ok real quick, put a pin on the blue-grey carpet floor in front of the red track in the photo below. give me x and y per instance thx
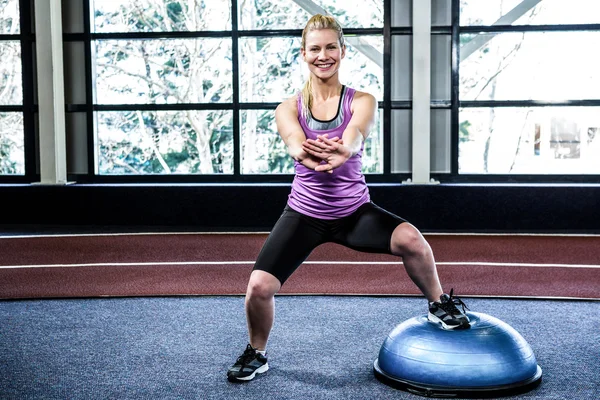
(322, 347)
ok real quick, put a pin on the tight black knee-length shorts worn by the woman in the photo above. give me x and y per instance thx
(295, 236)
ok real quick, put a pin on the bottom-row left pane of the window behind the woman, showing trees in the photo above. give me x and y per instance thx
(165, 142)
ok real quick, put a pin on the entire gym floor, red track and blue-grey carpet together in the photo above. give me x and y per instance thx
(160, 315)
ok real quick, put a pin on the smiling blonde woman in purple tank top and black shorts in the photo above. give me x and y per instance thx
(324, 129)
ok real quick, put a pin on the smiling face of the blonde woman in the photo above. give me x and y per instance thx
(323, 53)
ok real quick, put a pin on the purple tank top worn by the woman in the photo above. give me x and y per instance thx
(320, 194)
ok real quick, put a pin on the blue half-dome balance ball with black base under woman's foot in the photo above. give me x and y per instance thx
(490, 359)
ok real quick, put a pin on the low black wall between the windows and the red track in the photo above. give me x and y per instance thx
(445, 208)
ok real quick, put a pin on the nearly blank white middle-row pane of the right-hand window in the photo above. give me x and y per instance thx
(530, 66)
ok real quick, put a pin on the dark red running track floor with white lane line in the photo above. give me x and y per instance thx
(220, 264)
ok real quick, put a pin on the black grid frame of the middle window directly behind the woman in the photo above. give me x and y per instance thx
(88, 37)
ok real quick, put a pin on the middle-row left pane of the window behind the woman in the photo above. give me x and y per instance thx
(163, 71)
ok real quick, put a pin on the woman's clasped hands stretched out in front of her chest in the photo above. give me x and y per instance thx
(324, 154)
